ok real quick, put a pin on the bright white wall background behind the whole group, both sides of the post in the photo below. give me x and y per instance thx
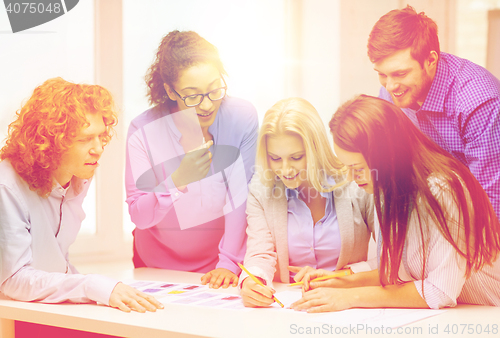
(271, 48)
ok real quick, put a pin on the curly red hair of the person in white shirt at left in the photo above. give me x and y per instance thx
(47, 125)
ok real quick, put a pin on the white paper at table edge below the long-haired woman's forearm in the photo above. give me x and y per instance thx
(387, 317)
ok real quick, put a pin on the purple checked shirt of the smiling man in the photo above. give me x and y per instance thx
(461, 113)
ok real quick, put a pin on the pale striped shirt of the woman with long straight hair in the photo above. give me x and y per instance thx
(445, 283)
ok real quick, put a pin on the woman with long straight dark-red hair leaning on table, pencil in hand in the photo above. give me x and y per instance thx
(439, 238)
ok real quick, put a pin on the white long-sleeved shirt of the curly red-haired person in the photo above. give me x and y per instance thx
(35, 234)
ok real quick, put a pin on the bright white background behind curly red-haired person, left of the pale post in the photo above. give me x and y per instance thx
(63, 47)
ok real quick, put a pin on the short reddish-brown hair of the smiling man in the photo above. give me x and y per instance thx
(400, 29)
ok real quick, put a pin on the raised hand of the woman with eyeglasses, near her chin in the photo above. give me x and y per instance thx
(194, 166)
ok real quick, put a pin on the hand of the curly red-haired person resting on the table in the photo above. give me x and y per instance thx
(126, 298)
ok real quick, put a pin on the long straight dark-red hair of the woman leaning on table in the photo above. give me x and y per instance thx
(407, 163)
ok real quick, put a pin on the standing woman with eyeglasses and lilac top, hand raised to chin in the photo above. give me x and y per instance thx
(189, 160)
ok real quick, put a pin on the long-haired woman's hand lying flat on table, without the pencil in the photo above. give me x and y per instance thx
(324, 300)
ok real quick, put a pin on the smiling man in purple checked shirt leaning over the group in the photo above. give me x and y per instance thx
(455, 102)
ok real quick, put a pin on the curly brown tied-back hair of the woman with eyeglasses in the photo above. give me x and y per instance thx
(178, 51)
